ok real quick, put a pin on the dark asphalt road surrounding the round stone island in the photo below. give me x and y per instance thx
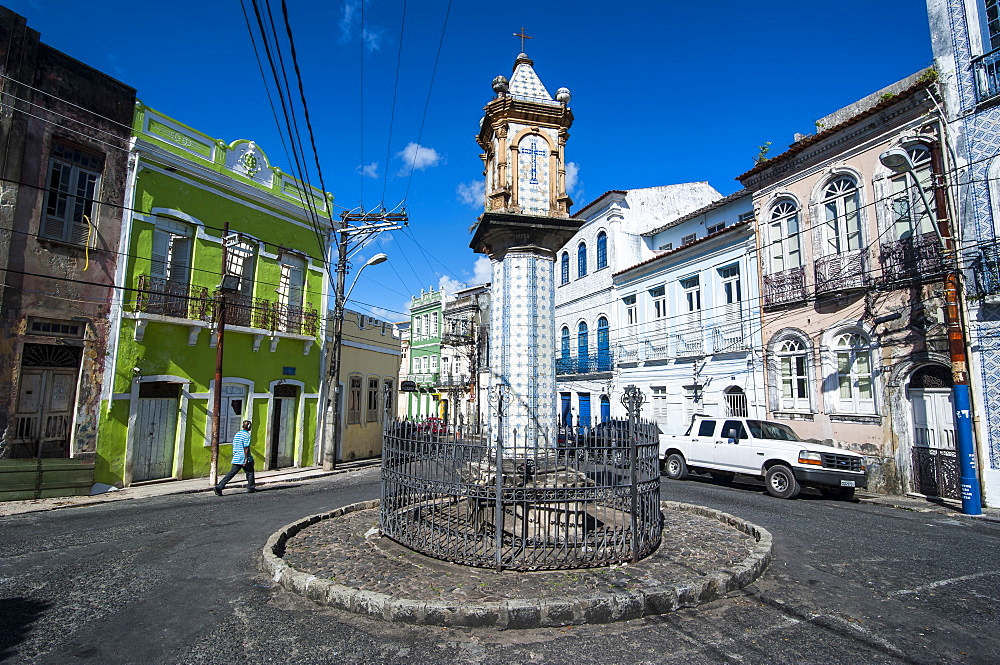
(175, 579)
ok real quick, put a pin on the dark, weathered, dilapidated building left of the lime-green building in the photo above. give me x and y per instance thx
(65, 129)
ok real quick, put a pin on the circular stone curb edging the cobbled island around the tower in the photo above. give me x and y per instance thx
(520, 613)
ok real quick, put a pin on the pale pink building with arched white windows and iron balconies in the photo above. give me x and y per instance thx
(854, 336)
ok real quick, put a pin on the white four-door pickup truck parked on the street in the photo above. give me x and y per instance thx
(724, 447)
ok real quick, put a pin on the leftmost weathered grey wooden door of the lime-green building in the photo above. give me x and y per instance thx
(154, 435)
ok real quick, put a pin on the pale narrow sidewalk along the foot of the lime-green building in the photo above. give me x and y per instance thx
(187, 486)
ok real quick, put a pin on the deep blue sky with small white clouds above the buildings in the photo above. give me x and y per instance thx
(663, 92)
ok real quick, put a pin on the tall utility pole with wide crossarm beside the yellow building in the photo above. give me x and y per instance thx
(358, 228)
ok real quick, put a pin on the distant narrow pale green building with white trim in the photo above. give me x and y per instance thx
(425, 354)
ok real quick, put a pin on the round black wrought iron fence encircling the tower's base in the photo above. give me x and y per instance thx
(583, 497)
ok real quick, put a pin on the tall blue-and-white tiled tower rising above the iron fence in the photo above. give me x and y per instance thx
(523, 136)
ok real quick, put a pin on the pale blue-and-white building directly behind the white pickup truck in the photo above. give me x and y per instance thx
(690, 318)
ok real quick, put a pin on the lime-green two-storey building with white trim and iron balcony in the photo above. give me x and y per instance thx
(183, 187)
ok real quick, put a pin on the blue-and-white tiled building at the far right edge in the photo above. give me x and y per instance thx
(965, 36)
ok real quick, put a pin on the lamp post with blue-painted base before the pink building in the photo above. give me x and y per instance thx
(898, 161)
